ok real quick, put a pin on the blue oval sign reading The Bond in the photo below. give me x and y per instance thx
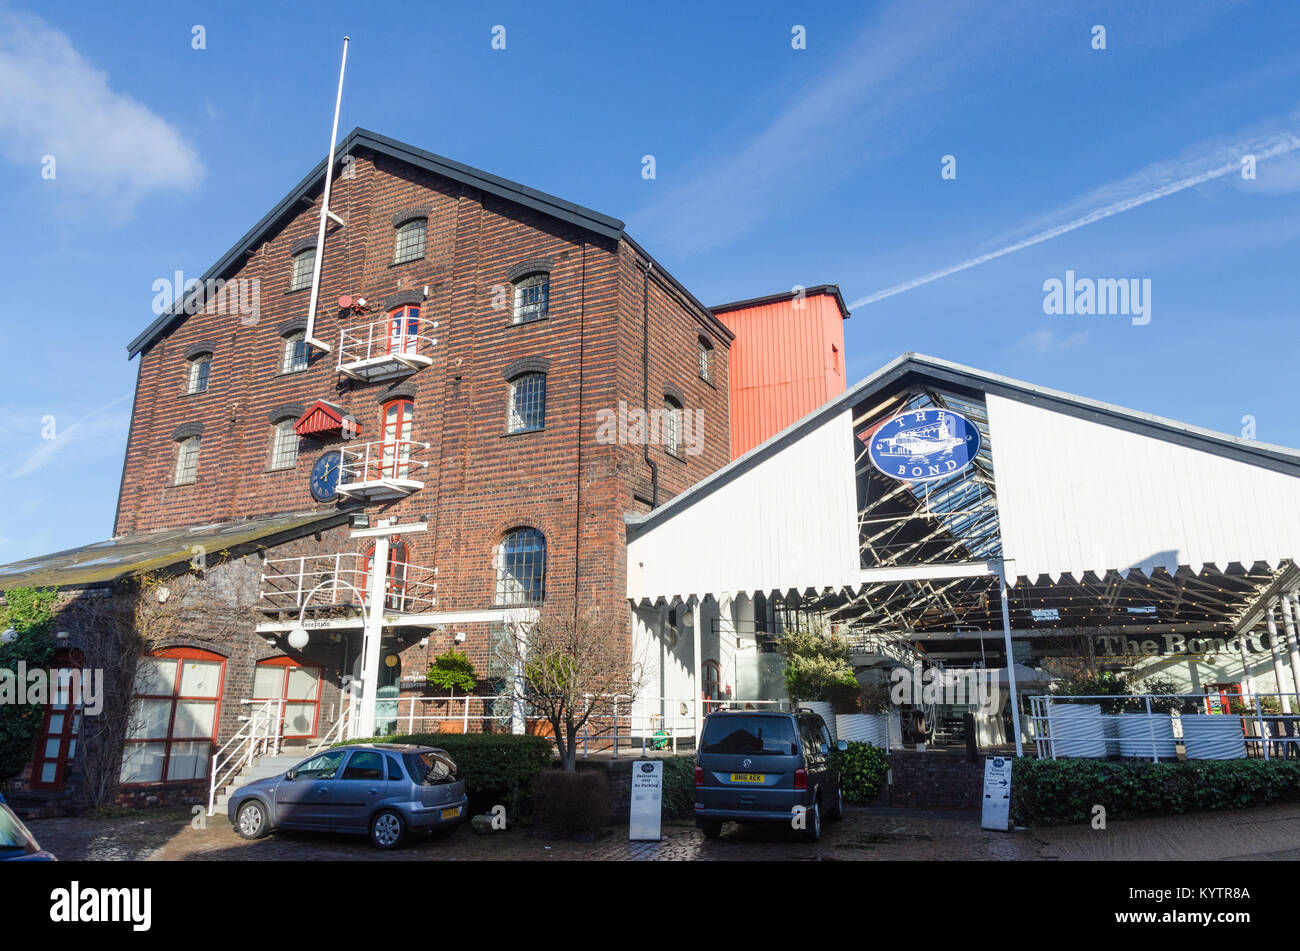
(925, 445)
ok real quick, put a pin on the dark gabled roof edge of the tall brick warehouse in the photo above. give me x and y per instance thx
(597, 224)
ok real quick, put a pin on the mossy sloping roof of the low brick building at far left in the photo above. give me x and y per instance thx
(118, 558)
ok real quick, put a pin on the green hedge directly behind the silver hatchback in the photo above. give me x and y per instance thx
(497, 767)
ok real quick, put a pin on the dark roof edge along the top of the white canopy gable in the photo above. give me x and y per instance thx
(917, 370)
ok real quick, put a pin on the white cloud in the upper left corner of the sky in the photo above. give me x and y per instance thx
(107, 146)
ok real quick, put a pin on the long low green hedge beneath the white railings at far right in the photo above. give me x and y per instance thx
(1059, 792)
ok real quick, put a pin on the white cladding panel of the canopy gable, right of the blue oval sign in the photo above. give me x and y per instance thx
(1077, 496)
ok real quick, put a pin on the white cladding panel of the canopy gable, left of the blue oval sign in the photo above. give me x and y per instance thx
(790, 522)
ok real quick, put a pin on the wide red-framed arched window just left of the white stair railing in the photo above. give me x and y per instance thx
(176, 709)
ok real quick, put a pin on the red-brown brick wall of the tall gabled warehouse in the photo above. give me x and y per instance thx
(480, 483)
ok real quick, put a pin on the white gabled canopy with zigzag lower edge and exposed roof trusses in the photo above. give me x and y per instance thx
(1100, 516)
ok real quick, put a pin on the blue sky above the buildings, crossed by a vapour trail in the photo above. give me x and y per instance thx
(774, 167)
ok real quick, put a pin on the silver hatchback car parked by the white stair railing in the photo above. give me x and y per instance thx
(387, 791)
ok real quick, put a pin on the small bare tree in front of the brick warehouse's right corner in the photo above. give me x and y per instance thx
(575, 672)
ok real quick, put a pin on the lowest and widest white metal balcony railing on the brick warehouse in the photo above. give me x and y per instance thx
(333, 581)
